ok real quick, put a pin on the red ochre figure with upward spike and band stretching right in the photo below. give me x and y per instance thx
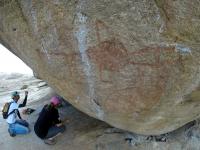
(111, 54)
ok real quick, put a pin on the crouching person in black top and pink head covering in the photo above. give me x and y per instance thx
(48, 125)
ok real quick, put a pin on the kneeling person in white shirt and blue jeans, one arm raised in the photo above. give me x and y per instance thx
(16, 124)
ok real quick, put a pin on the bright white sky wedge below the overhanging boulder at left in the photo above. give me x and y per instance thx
(9, 63)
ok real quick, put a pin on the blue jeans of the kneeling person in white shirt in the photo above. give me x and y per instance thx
(19, 127)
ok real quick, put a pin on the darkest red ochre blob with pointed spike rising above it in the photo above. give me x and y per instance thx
(109, 54)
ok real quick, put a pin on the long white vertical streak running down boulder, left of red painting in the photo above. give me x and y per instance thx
(81, 35)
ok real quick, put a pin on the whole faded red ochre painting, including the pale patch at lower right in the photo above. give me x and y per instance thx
(151, 67)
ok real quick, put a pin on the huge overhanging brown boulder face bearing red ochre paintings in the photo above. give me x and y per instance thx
(133, 64)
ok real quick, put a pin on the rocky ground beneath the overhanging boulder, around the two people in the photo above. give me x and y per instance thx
(83, 132)
